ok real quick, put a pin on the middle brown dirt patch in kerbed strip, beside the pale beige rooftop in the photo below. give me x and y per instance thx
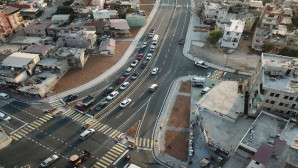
(180, 113)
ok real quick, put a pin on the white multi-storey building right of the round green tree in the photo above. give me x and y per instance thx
(232, 34)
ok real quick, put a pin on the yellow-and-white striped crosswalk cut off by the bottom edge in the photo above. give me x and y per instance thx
(109, 158)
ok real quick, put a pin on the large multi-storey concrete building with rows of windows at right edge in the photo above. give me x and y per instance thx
(273, 86)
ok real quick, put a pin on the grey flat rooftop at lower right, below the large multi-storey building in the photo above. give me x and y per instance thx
(264, 128)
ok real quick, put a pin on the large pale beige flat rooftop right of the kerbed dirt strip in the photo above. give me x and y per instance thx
(224, 99)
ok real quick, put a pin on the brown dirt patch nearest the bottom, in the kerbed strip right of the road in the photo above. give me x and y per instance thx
(176, 144)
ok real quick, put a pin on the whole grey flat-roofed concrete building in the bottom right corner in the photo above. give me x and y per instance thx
(269, 142)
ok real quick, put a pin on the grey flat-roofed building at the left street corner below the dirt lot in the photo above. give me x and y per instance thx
(46, 74)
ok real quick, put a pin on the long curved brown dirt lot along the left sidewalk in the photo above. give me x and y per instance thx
(95, 66)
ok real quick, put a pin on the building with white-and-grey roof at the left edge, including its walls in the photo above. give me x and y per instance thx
(17, 67)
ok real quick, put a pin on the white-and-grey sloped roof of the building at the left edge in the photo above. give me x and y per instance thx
(19, 59)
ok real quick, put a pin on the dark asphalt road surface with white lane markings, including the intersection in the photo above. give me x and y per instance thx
(61, 135)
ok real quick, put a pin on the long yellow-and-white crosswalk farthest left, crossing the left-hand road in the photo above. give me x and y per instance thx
(17, 135)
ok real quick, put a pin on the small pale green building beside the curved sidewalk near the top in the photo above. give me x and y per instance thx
(136, 19)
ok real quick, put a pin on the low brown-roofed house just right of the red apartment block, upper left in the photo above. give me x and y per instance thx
(38, 28)
